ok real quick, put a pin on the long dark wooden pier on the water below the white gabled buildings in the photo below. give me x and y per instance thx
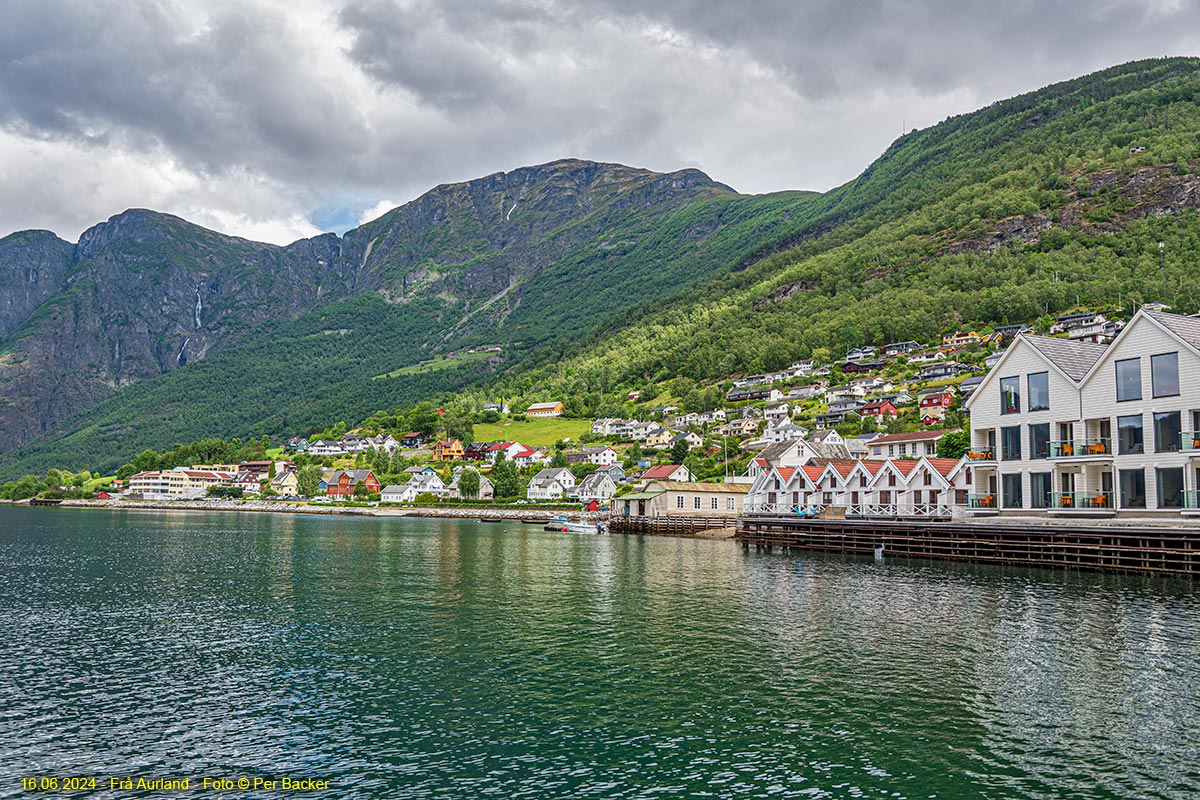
(1157, 551)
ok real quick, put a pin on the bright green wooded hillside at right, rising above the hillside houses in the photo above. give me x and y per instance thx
(1031, 207)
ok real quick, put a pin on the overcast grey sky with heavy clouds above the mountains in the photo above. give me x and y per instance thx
(279, 121)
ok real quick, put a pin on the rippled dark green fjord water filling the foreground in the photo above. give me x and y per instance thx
(431, 659)
